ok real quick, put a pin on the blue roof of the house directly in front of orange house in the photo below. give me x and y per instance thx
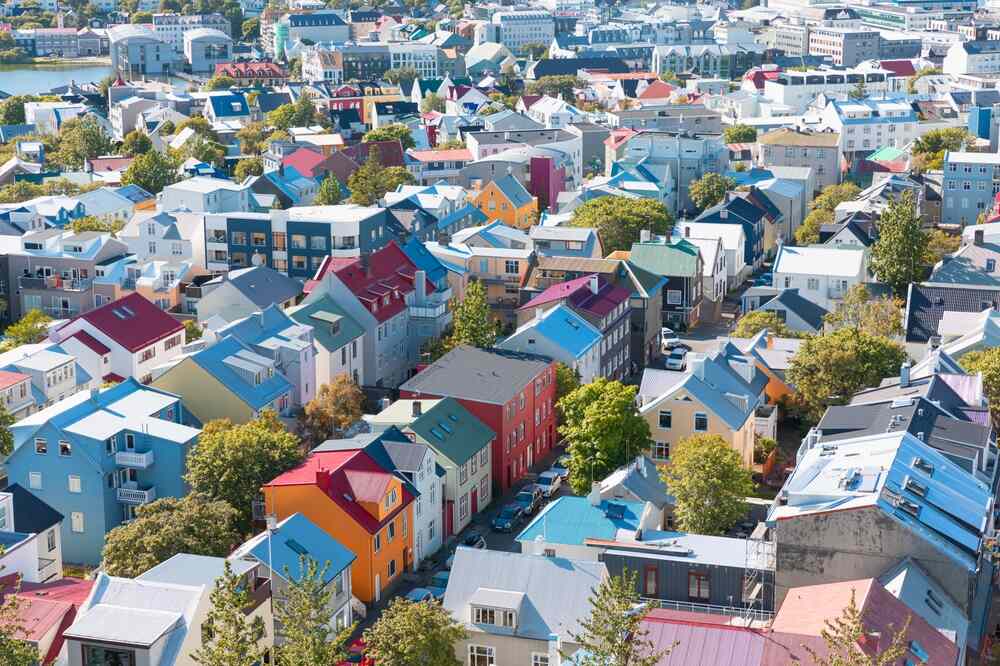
(297, 536)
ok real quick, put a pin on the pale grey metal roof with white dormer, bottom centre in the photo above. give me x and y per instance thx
(556, 591)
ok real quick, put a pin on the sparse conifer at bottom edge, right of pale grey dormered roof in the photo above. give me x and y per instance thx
(612, 634)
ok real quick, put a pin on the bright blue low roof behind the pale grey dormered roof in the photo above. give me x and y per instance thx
(572, 520)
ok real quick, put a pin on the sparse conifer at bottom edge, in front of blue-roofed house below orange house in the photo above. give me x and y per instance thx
(305, 618)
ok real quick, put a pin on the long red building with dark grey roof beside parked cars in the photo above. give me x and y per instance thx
(512, 393)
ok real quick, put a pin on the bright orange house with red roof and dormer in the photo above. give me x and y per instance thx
(358, 503)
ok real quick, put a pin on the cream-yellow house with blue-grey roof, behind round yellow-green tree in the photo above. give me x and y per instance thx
(718, 394)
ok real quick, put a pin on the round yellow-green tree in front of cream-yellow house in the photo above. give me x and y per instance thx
(710, 482)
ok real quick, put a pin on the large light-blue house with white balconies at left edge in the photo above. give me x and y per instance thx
(99, 454)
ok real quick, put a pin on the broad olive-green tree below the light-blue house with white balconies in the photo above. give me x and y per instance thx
(167, 526)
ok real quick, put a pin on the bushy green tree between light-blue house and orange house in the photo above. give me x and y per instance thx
(231, 462)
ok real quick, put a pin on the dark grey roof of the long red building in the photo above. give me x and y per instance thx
(484, 375)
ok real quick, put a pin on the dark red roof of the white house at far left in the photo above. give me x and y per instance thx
(132, 321)
